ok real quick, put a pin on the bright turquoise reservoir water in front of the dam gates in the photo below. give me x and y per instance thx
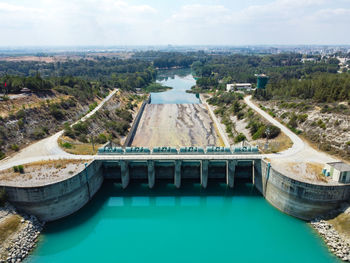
(179, 225)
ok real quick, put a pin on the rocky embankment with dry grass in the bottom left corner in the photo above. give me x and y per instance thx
(18, 244)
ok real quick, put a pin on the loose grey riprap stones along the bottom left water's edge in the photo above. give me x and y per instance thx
(24, 240)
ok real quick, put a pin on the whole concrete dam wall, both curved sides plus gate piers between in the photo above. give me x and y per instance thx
(296, 198)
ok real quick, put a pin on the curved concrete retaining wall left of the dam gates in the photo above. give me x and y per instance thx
(57, 200)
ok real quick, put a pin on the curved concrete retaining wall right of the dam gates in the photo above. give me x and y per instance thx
(300, 199)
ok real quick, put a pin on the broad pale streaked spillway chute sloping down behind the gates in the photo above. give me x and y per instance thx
(176, 125)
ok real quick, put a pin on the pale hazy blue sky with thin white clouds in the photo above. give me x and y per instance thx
(175, 22)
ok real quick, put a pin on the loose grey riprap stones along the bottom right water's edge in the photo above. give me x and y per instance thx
(335, 242)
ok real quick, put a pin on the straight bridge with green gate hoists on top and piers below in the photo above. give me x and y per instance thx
(168, 163)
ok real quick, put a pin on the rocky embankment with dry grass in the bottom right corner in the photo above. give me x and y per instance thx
(335, 233)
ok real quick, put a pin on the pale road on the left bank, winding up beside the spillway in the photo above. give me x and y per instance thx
(48, 148)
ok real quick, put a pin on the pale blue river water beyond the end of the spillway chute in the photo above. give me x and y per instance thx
(180, 80)
